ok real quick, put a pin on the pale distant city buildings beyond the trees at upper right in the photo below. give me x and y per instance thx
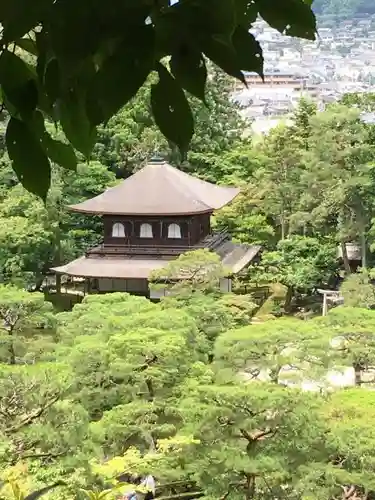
(341, 60)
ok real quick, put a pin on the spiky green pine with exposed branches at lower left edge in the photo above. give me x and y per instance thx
(38, 421)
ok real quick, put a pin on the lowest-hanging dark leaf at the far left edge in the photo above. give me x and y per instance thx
(29, 160)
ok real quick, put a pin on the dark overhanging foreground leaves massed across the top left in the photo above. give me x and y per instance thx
(87, 59)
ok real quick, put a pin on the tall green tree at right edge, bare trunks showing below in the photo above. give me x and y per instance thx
(339, 176)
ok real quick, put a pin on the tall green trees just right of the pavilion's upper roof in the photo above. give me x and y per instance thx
(268, 207)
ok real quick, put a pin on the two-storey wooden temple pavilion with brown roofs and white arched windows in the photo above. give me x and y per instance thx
(149, 219)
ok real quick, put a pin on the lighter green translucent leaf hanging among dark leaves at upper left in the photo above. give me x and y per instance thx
(75, 123)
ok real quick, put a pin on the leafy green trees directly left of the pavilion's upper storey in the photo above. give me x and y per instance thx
(36, 236)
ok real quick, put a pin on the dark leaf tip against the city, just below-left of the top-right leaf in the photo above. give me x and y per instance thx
(248, 50)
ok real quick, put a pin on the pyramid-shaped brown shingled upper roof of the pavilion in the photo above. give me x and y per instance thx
(159, 189)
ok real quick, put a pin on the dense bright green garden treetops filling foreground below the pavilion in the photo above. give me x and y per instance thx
(187, 390)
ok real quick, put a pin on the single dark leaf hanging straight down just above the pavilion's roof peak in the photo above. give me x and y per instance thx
(171, 110)
